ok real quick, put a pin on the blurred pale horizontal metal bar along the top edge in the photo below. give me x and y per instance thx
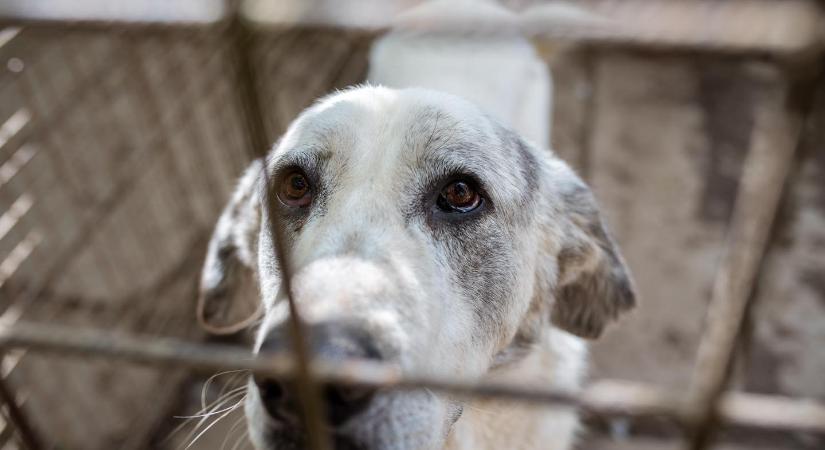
(790, 27)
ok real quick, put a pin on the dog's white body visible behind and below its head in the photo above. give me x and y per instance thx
(501, 73)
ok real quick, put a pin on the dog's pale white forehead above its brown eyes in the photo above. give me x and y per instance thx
(379, 130)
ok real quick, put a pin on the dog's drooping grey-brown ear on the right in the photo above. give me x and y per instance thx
(593, 284)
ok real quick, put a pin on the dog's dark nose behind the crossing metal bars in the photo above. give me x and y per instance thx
(331, 342)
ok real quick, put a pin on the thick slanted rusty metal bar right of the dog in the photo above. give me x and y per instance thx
(776, 132)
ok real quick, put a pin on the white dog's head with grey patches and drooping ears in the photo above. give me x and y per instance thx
(420, 233)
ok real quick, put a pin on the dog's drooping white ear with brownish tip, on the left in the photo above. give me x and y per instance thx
(228, 300)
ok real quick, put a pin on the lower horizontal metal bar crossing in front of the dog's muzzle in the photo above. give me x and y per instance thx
(604, 398)
